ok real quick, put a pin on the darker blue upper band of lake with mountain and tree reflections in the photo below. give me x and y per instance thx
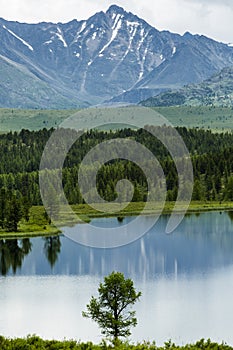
(201, 243)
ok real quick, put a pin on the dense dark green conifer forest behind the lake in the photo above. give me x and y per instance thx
(20, 152)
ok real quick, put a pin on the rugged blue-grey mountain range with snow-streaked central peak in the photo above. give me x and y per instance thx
(112, 56)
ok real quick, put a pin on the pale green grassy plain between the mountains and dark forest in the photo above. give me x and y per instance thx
(207, 117)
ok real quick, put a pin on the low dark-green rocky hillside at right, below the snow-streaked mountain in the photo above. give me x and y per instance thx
(217, 91)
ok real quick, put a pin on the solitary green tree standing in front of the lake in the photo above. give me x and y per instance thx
(111, 310)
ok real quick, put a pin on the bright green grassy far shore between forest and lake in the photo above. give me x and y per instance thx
(39, 226)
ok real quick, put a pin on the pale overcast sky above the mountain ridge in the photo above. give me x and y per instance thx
(213, 18)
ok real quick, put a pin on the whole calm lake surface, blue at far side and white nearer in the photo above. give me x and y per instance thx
(186, 280)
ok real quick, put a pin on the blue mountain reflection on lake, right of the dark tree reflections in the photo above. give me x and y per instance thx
(201, 243)
